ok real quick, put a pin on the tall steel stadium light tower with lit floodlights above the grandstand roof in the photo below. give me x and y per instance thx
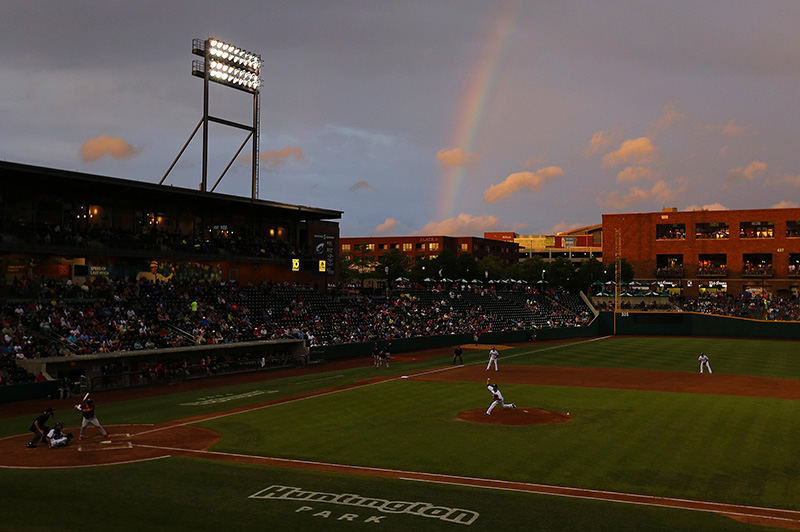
(234, 67)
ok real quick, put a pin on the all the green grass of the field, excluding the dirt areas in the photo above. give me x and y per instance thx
(730, 449)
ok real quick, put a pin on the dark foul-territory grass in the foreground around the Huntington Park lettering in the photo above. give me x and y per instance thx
(198, 495)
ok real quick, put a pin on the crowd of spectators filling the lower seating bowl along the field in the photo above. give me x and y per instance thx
(51, 318)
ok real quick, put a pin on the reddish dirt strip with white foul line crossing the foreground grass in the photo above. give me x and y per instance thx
(521, 487)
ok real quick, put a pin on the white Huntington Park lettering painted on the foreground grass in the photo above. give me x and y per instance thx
(420, 509)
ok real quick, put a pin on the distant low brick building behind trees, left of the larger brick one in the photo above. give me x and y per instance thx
(430, 246)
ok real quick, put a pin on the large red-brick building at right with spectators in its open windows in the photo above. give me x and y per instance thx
(734, 250)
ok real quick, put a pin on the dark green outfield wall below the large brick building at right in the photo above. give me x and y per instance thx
(695, 324)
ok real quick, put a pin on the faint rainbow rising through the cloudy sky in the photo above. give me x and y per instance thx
(471, 108)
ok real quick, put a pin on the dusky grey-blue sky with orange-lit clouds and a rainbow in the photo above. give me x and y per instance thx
(449, 117)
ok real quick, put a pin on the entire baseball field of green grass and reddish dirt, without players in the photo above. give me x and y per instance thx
(608, 434)
